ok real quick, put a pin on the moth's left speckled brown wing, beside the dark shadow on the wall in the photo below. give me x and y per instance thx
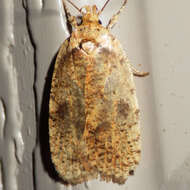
(67, 115)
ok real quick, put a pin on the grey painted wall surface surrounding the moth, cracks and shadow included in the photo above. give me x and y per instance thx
(154, 34)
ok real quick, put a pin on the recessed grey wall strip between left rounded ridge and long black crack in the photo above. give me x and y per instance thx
(25, 62)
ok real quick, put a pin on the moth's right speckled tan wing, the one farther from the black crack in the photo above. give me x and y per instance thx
(113, 114)
